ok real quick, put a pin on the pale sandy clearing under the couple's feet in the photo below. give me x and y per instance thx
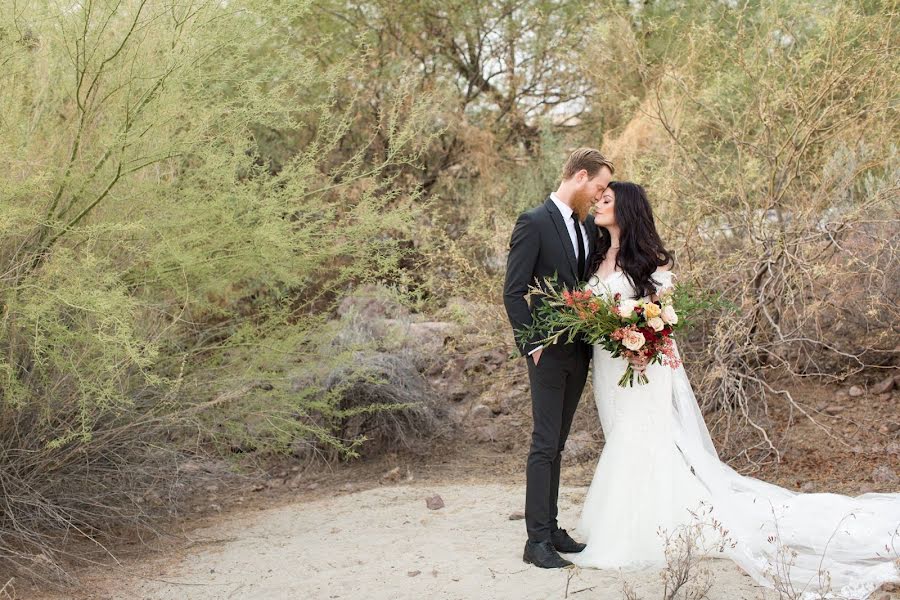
(384, 543)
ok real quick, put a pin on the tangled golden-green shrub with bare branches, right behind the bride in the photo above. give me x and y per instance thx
(774, 174)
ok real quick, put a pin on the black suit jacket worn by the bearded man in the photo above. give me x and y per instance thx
(540, 247)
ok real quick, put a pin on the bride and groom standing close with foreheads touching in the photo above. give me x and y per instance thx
(659, 469)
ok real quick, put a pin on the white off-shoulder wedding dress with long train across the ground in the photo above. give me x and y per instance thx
(659, 466)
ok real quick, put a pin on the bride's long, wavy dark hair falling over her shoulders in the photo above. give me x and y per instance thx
(641, 250)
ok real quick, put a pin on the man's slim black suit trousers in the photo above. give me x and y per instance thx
(556, 385)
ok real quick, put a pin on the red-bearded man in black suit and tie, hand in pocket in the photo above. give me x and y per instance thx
(556, 238)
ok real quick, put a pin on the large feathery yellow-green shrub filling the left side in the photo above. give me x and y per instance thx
(183, 204)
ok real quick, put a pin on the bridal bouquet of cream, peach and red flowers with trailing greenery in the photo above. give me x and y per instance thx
(627, 328)
